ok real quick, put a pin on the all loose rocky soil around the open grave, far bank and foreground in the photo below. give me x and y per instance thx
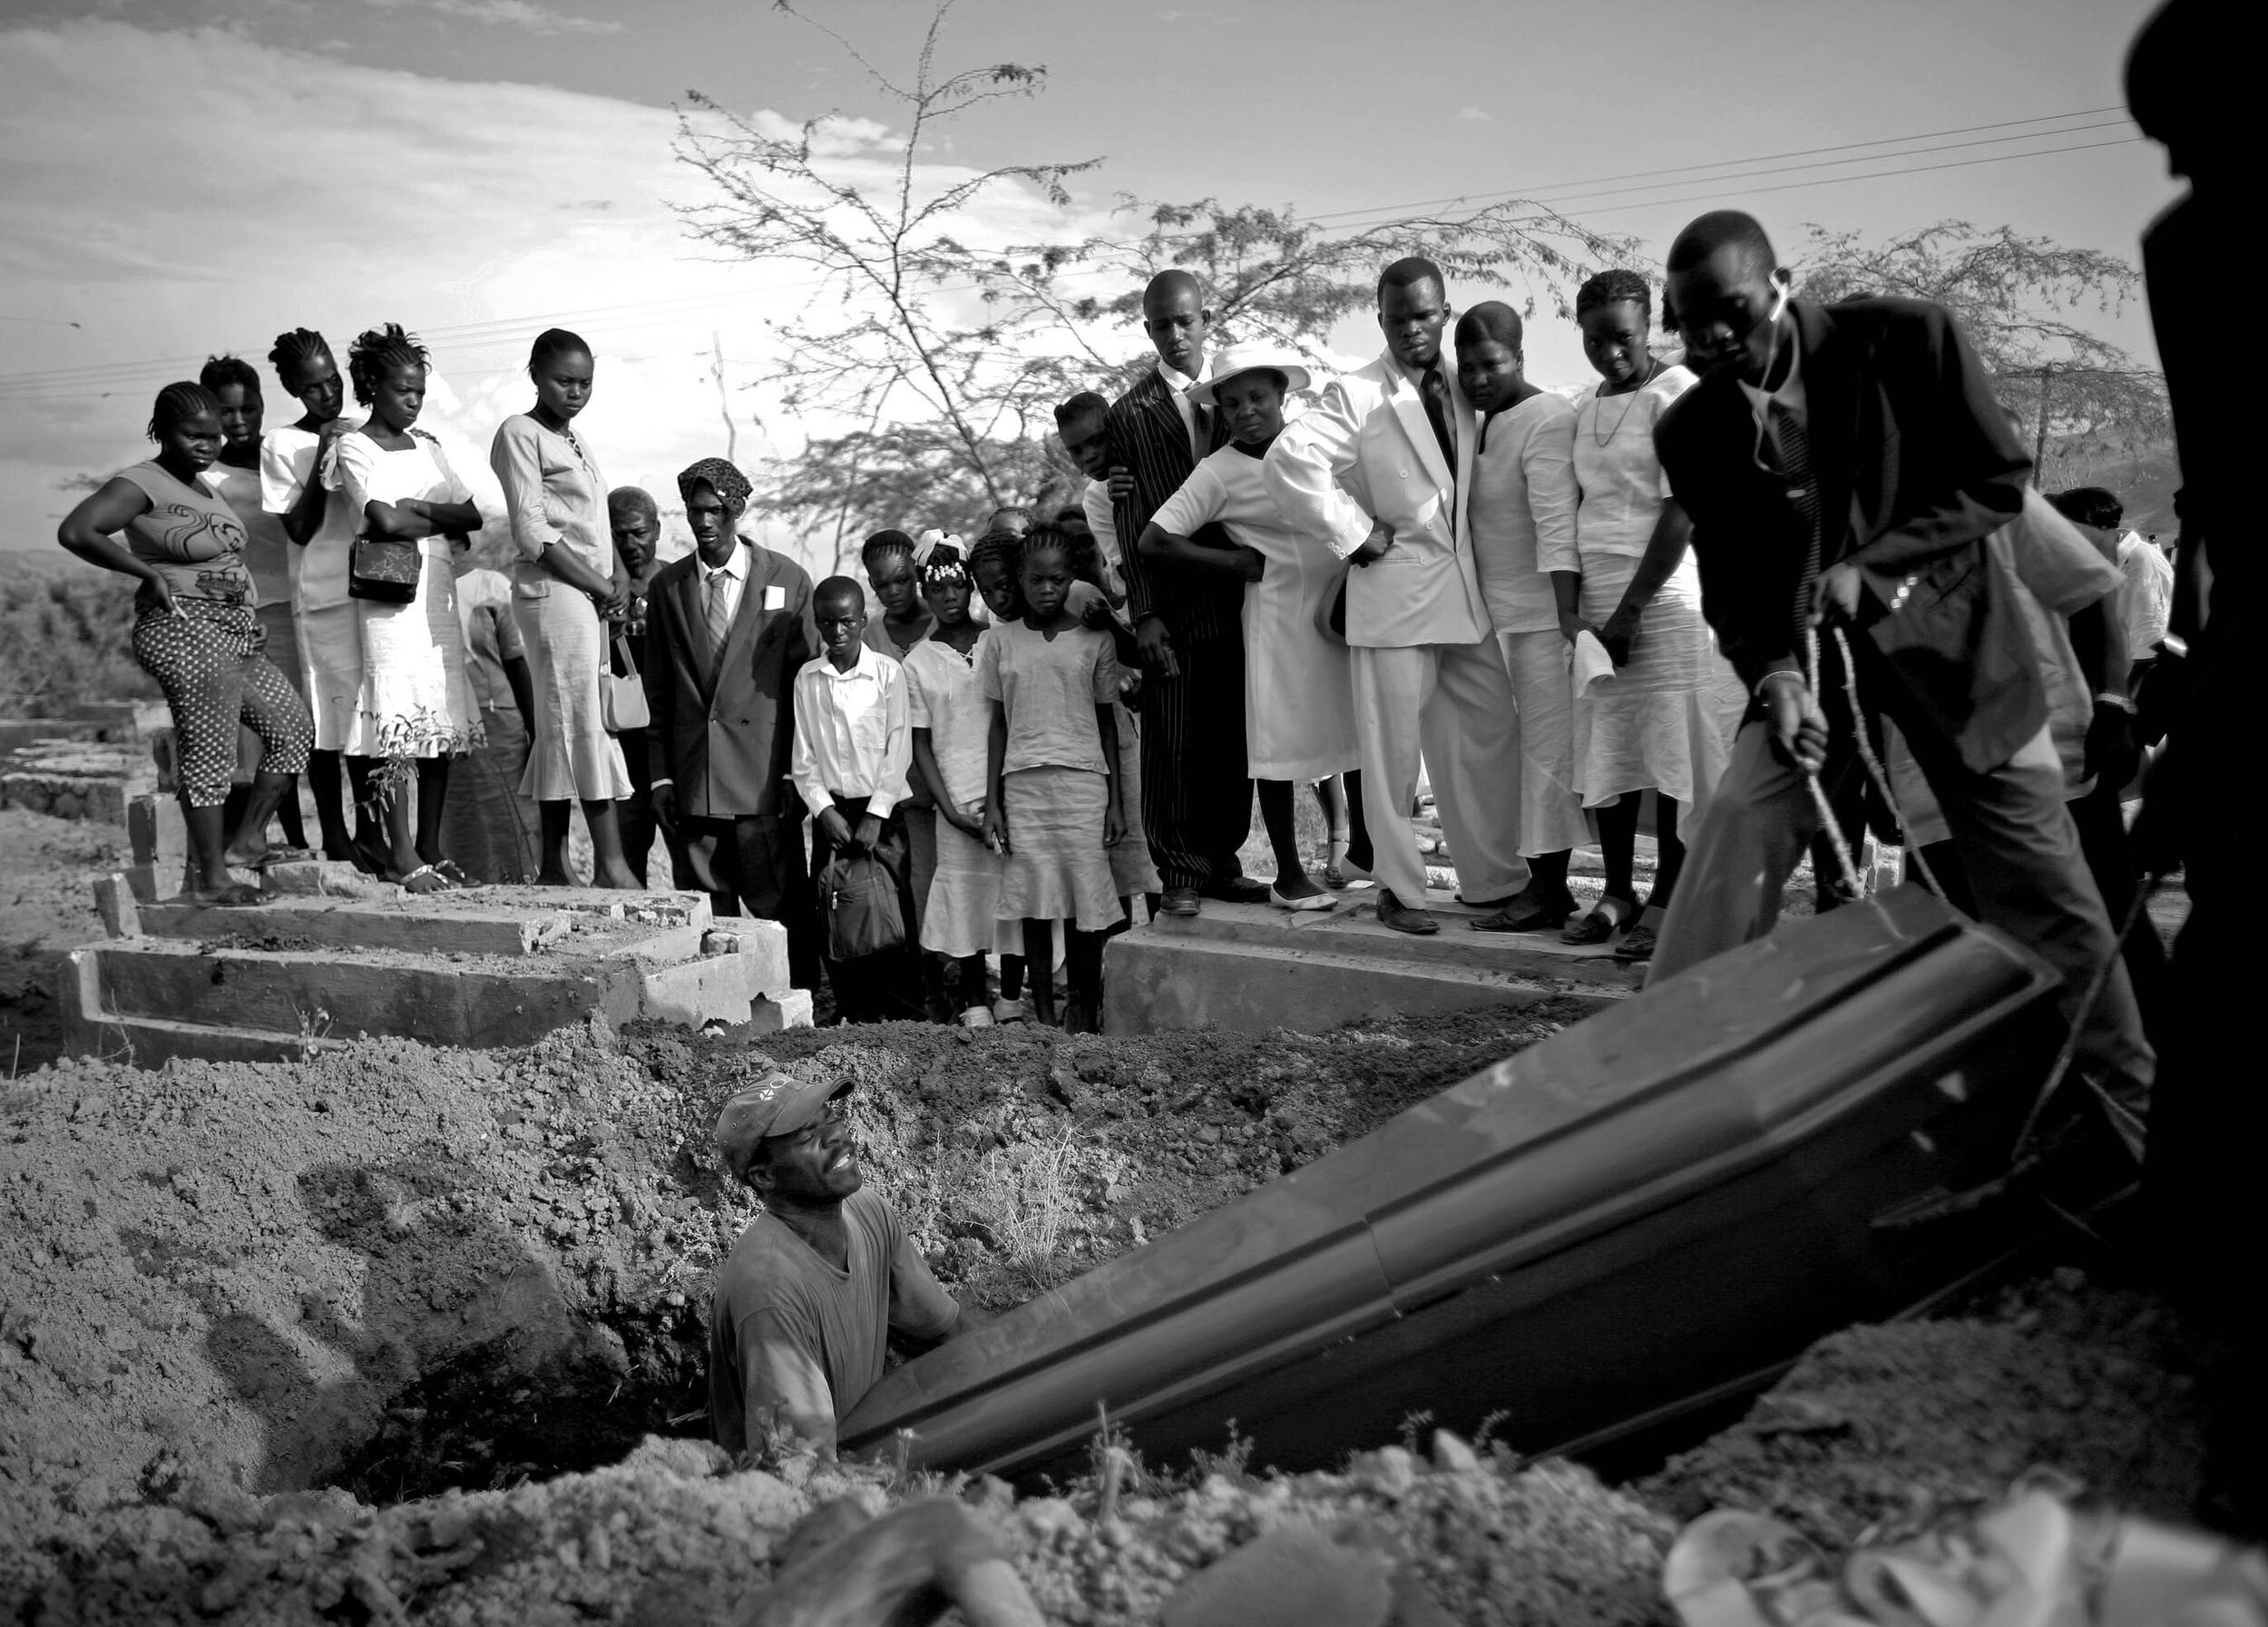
(416, 1335)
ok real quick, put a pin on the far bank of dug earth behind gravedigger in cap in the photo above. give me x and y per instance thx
(403, 1270)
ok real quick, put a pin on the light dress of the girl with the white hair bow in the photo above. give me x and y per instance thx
(942, 696)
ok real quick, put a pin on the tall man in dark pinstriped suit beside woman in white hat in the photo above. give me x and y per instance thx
(1196, 786)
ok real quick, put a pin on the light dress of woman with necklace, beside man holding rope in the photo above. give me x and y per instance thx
(1659, 720)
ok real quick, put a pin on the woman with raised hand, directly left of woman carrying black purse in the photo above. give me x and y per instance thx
(316, 521)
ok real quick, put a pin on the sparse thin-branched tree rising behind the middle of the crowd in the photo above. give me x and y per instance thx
(947, 360)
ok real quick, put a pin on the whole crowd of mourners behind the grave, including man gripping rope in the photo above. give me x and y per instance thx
(1795, 587)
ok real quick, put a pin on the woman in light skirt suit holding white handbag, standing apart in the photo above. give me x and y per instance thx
(568, 593)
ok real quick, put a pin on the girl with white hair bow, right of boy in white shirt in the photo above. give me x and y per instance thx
(951, 732)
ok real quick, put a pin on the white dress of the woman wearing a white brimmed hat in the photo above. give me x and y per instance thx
(1298, 684)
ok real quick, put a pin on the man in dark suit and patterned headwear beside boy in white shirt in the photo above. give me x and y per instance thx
(727, 632)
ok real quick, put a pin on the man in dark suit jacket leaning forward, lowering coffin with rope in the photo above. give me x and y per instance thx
(1843, 469)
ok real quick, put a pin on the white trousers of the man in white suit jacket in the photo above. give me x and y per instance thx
(1455, 705)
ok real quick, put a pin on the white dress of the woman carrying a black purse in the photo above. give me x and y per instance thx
(416, 693)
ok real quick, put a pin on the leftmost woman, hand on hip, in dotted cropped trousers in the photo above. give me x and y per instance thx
(194, 632)
